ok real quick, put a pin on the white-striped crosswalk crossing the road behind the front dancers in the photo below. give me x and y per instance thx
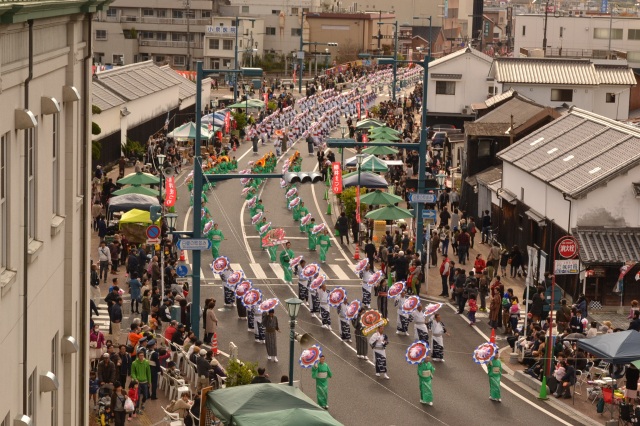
(274, 271)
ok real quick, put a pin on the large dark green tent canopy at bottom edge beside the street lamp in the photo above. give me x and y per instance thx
(266, 404)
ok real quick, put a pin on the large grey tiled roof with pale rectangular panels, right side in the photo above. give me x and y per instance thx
(577, 152)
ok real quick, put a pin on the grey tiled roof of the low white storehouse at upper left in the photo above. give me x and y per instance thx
(137, 80)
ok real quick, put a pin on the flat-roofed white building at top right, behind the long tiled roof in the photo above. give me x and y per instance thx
(580, 36)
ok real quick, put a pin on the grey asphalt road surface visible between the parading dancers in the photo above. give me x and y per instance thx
(356, 395)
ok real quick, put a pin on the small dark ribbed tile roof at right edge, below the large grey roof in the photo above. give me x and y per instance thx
(608, 245)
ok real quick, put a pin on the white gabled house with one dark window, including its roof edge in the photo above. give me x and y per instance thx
(456, 81)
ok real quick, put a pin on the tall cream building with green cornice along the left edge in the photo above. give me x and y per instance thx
(44, 211)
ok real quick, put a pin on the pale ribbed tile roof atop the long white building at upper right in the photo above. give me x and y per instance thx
(560, 71)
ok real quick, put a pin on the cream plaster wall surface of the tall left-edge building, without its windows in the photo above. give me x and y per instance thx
(56, 262)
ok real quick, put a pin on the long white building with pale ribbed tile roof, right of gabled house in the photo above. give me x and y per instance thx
(601, 86)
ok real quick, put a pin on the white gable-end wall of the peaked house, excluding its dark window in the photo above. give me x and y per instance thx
(472, 87)
